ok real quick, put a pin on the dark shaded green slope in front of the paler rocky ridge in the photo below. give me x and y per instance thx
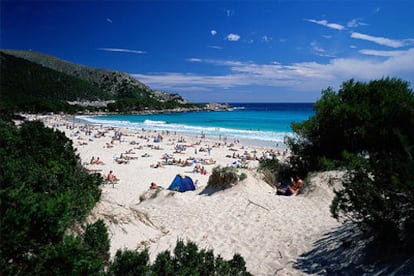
(24, 84)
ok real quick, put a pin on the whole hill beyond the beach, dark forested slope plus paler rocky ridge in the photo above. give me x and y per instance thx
(32, 81)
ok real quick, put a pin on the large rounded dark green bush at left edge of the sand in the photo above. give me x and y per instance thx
(44, 190)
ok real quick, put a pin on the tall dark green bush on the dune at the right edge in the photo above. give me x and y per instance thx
(367, 128)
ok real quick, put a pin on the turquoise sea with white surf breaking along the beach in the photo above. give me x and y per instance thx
(262, 124)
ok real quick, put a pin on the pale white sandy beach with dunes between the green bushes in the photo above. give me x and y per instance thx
(270, 232)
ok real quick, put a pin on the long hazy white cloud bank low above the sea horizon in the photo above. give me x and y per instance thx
(301, 76)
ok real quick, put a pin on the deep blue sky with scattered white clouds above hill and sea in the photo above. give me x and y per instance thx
(236, 51)
